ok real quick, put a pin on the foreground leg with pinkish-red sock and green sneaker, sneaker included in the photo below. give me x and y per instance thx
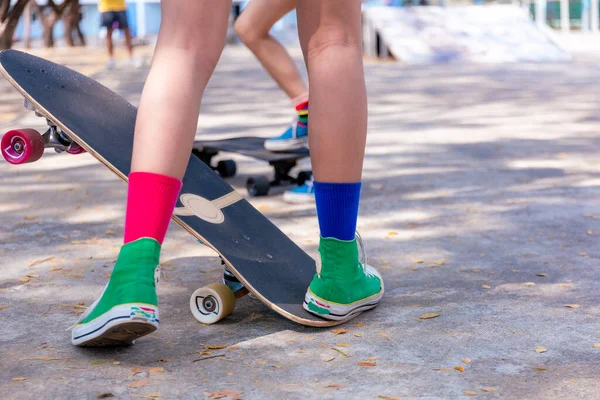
(190, 42)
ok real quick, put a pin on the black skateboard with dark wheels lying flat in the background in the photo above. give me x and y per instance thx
(282, 162)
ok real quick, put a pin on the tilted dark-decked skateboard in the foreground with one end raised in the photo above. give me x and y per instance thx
(83, 115)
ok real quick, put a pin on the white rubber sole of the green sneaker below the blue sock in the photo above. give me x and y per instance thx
(338, 312)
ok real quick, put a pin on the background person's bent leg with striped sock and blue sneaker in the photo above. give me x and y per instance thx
(253, 27)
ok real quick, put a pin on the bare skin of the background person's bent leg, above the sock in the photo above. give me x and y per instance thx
(253, 27)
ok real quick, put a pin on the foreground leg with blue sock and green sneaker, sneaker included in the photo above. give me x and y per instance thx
(331, 42)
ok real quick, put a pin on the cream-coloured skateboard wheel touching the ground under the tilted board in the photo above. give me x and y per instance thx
(212, 303)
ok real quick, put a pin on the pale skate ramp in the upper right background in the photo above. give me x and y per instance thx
(485, 34)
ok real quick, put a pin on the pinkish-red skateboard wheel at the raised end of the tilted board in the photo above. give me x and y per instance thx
(22, 146)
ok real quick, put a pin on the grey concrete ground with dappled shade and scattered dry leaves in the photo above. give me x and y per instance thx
(480, 204)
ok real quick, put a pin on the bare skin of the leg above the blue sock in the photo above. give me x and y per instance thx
(332, 45)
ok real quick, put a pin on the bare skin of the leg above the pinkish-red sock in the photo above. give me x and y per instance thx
(190, 42)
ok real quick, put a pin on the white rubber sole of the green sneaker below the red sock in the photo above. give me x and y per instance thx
(120, 326)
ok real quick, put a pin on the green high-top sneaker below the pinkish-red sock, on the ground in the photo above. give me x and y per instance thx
(128, 307)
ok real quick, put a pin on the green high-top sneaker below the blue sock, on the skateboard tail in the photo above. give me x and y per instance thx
(342, 286)
